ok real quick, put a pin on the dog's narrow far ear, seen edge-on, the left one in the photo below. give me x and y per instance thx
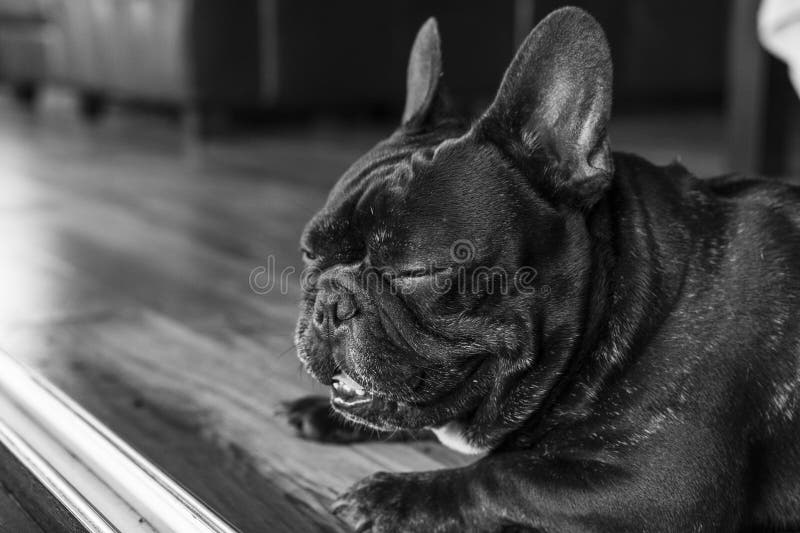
(427, 100)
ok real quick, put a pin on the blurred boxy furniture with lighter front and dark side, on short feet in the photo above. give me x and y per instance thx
(200, 55)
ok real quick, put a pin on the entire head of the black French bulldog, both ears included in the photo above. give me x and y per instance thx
(451, 255)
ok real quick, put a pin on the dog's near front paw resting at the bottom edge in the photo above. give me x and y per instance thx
(384, 503)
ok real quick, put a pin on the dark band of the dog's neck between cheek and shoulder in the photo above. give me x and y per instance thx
(631, 289)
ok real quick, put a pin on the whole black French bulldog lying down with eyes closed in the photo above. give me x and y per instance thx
(629, 354)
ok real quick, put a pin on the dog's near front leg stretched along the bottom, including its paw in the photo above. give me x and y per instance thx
(524, 492)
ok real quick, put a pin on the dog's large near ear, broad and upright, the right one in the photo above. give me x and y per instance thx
(554, 103)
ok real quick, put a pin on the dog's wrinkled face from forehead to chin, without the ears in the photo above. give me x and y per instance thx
(396, 307)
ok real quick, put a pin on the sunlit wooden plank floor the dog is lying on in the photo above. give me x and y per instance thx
(124, 271)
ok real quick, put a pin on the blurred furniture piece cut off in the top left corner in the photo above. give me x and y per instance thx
(24, 31)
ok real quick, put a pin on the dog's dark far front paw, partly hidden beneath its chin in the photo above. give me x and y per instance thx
(314, 419)
